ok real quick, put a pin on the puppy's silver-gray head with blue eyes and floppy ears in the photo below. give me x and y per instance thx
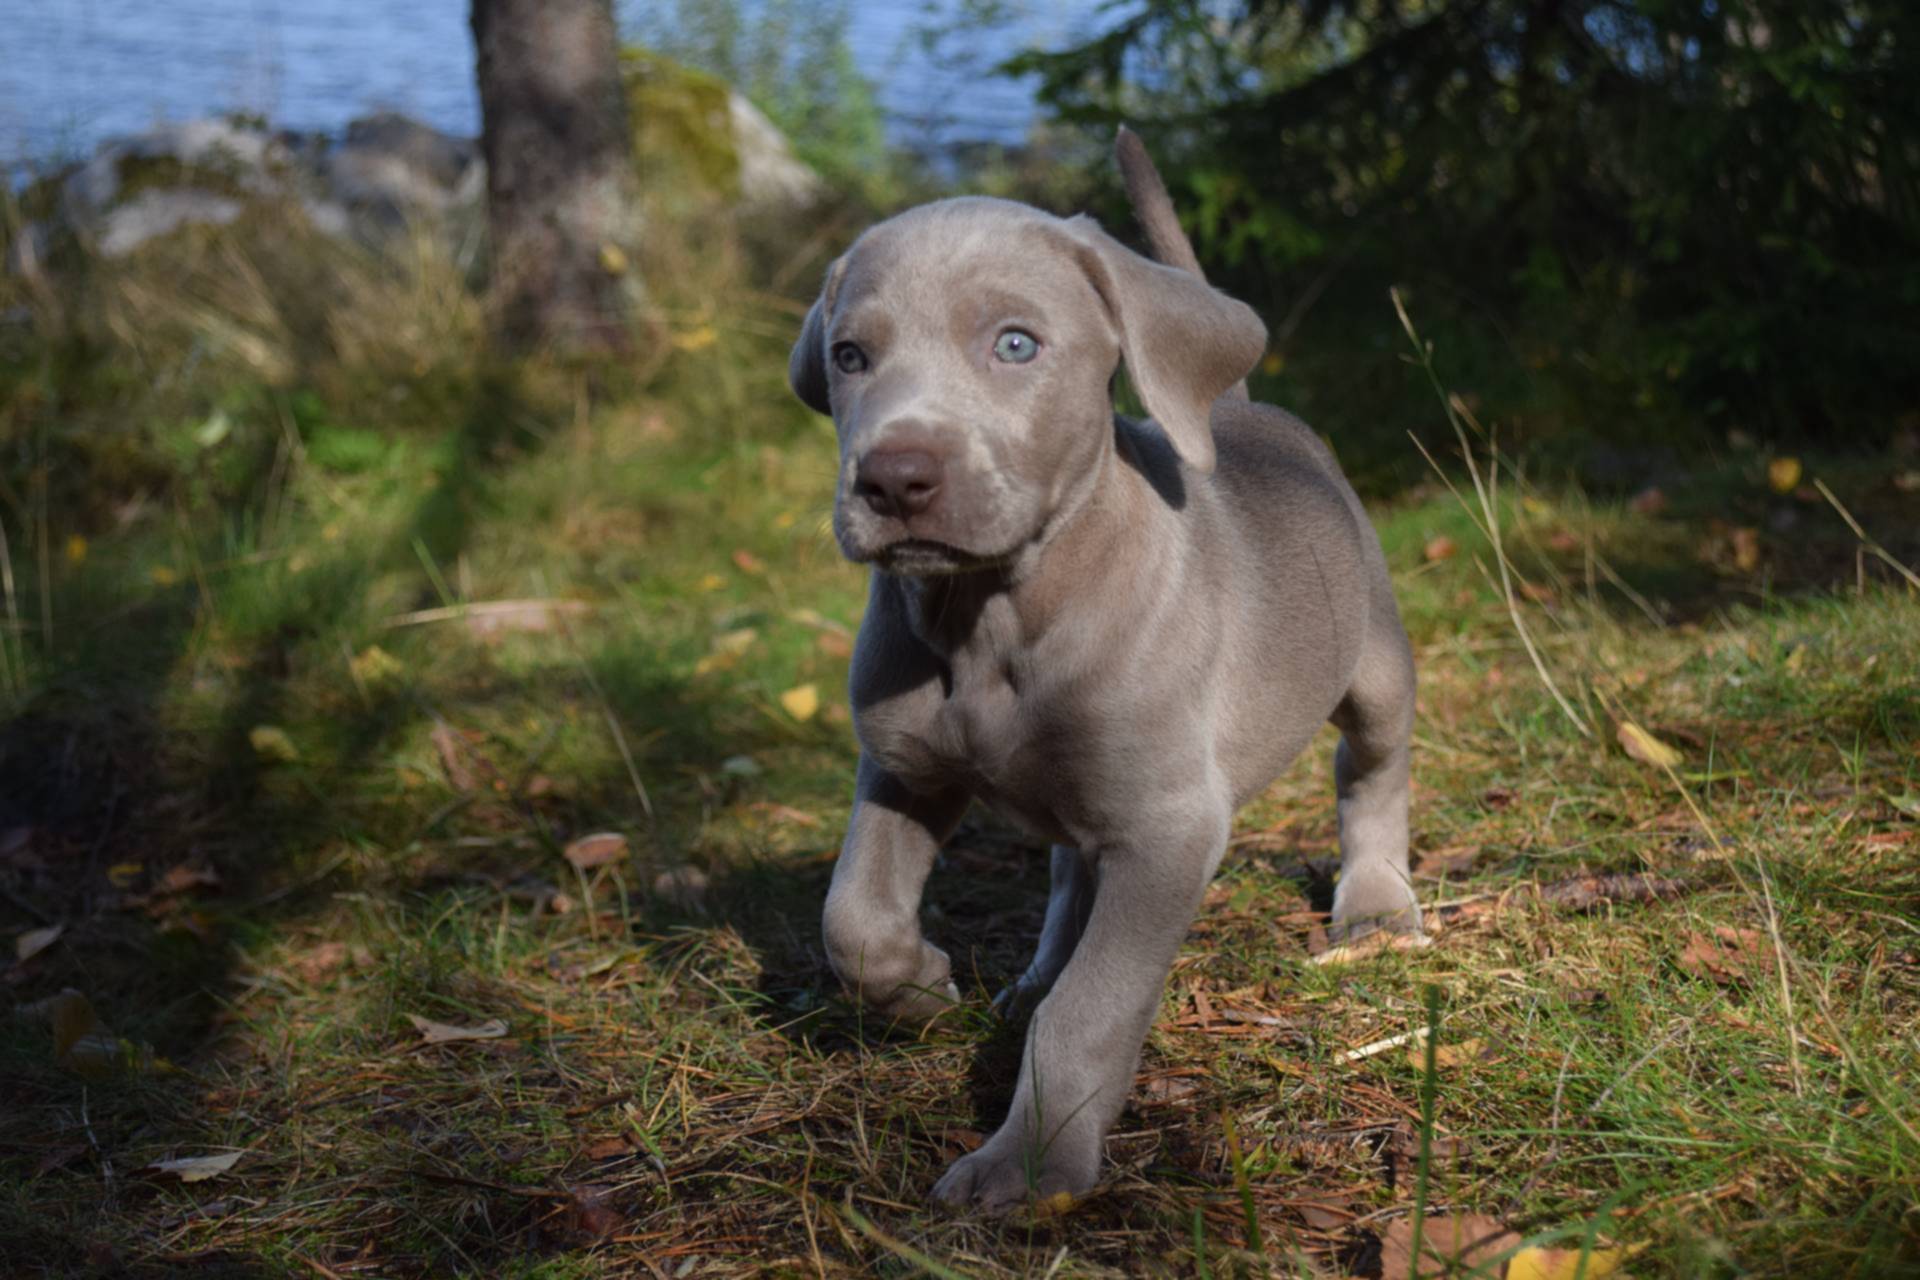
(967, 352)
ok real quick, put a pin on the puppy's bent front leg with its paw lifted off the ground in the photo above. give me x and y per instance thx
(873, 918)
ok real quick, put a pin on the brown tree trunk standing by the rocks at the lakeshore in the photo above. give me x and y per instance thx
(562, 189)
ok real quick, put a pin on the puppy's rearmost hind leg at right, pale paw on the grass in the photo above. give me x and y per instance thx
(1372, 774)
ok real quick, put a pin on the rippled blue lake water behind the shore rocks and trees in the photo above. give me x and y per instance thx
(76, 72)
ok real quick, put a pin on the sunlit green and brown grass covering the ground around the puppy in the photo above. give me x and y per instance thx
(681, 1087)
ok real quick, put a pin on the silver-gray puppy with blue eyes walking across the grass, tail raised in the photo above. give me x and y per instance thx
(1111, 630)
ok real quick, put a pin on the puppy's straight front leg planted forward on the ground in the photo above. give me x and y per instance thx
(1086, 1035)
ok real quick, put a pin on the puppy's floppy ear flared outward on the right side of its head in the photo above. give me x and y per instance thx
(1186, 344)
